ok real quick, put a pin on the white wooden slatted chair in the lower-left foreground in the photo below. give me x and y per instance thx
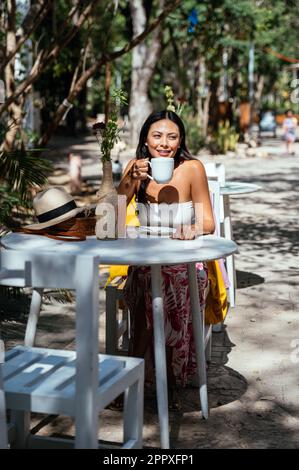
(52, 381)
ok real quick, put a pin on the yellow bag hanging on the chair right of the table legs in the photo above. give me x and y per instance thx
(216, 303)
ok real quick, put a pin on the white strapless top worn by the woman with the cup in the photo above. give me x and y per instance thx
(166, 215)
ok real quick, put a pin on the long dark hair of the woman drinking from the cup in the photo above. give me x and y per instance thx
(142, 149)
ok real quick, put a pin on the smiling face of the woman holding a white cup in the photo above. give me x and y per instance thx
(163, 139)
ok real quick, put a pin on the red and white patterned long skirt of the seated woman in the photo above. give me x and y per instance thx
(177, 312)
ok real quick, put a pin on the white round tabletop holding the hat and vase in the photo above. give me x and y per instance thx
(140, 250)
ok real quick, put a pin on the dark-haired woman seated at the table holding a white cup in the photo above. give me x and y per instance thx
(163, 135)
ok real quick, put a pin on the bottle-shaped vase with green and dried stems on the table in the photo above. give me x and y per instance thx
(107, 135)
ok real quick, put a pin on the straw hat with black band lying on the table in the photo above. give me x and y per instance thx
(52, 206)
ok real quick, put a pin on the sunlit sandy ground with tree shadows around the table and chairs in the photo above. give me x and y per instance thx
(254, 376)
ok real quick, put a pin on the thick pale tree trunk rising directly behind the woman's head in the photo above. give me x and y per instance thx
(144, 60)
